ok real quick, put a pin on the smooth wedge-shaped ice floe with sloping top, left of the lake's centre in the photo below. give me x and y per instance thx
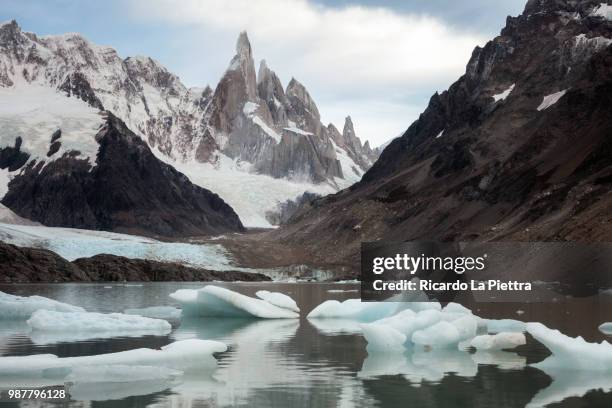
(214, 301)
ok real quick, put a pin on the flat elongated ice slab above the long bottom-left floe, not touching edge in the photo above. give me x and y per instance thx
(70, 322)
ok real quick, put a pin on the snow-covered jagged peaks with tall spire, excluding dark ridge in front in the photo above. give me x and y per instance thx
(250, 140)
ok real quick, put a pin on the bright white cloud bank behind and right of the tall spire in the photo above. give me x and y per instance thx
(348, 57)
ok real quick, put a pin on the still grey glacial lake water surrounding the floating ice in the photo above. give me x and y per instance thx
(324, 363)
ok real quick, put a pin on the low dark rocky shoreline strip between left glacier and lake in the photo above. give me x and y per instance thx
(18, 264)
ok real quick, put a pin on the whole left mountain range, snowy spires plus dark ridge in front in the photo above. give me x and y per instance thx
(92, 140)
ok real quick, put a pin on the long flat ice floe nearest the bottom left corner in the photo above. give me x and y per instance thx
(181, 355)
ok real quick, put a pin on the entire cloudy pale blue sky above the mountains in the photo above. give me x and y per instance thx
(377, 60)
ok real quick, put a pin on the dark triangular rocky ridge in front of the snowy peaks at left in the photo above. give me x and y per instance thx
(127, 190)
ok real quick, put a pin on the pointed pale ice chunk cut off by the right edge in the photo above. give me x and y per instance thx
(571, 353)
